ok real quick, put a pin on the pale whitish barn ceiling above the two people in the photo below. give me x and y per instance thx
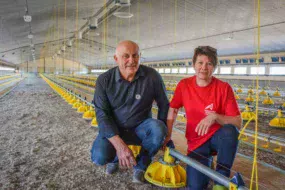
(164, 29)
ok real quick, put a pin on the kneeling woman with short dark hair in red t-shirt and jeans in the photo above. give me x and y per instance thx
(212, 118)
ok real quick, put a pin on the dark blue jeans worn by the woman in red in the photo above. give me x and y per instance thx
(225, 143)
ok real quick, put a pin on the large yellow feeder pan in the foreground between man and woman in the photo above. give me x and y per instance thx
(166, 173)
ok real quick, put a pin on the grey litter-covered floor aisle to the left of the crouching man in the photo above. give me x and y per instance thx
(45, 144)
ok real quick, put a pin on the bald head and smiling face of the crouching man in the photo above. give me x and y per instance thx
(127, 57)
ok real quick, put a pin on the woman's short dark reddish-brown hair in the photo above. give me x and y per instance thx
(208, 51)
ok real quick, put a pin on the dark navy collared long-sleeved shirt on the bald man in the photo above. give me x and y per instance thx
(121, 104)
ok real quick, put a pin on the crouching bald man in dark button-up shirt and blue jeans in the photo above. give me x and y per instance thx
(123, 101)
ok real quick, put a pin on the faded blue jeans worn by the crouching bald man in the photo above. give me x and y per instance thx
(150, 134)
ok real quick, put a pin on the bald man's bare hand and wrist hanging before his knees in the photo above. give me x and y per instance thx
(125, 155)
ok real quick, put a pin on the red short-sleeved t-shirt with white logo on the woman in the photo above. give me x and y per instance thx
(217, 97)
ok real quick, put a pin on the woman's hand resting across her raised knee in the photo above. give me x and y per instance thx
(204, 125)
